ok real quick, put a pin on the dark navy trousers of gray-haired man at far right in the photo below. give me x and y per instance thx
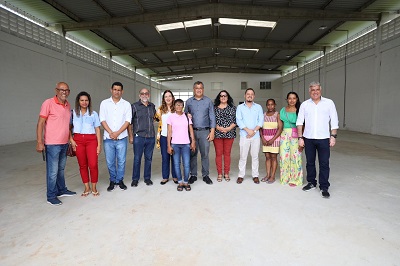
(312, 146)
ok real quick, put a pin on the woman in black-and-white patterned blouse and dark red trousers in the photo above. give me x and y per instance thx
(225, 132)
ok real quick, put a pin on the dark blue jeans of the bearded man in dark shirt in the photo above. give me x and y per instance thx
(142, 145)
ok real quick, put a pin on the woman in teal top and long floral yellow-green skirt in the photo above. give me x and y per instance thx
(290, 155)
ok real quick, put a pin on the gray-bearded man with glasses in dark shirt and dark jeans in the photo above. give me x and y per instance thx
(142, 136)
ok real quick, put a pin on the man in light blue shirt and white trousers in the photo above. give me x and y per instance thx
(249, 118)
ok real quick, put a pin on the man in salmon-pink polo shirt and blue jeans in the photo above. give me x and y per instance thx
(52, 138)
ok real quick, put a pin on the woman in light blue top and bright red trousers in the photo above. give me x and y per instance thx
(86, 141)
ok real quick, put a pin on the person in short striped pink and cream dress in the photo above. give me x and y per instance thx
(270, 137)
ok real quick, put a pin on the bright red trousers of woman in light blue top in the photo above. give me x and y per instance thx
(86, 153)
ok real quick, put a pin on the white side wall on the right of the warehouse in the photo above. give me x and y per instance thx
(369, 103)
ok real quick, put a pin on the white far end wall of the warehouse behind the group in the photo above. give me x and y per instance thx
(231, 83)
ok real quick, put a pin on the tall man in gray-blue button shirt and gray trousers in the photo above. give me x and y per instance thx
(201, 108)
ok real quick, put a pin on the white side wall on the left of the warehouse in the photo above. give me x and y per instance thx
(29, 73)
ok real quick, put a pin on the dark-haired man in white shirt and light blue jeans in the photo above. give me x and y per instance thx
(115, 117)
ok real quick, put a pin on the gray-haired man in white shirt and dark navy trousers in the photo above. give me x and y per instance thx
(321, 123)
